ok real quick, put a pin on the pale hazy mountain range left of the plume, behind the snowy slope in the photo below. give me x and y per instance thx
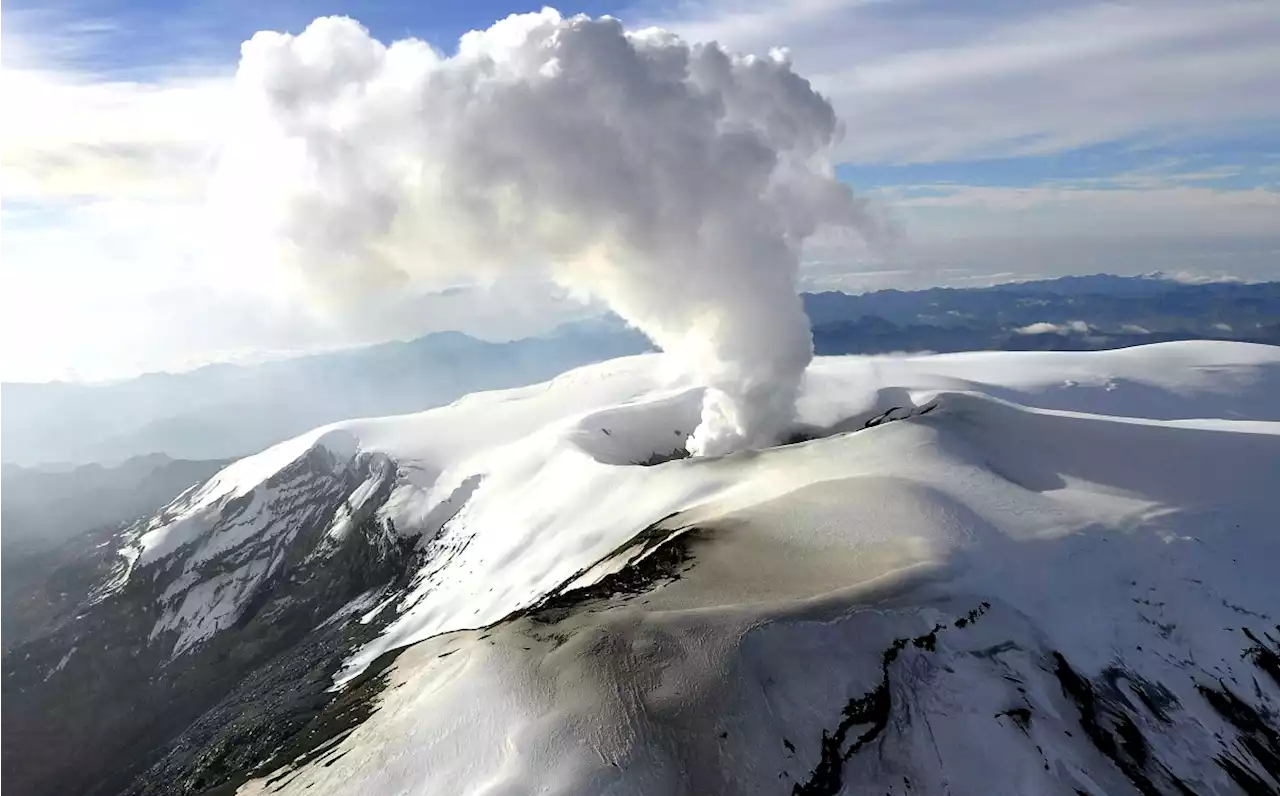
(225, 411)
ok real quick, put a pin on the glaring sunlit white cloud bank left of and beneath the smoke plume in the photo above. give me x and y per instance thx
(107, 266)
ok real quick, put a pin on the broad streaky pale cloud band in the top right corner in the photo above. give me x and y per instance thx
(935, 81)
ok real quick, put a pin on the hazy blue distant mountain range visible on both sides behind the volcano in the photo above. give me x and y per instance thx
(228, 410)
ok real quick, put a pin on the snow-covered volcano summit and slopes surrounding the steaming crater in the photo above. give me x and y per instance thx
(985, 574)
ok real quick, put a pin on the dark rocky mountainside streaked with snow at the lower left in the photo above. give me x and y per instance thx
(208, 658)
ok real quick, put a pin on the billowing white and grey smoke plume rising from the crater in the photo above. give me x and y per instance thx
(675, 182)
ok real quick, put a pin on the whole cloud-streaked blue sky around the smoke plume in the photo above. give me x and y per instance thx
(1002, 140)
